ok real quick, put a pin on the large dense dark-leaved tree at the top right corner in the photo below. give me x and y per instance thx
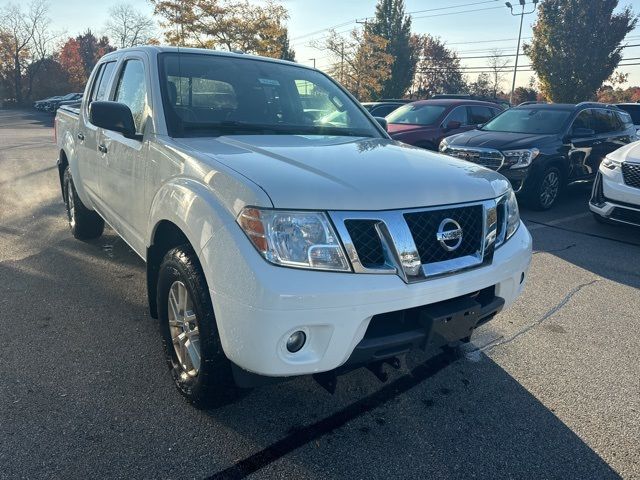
(576, 46)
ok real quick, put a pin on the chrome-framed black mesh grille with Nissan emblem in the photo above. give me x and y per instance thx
(418, 244)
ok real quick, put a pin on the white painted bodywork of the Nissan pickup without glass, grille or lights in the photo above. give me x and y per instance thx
(202, 184)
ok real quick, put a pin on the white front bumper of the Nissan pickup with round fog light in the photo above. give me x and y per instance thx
(259, 305)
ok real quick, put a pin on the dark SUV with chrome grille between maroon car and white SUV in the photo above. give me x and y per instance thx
(540, 148)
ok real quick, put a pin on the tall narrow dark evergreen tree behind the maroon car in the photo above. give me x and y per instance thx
(394, 26)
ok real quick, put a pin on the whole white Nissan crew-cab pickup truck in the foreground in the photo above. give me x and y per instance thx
(284, 232)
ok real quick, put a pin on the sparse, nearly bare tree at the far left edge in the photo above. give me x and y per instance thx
(20, 29)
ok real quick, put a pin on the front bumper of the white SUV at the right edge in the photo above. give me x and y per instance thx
(612, 199)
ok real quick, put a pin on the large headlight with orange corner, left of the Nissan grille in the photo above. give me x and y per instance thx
(294, 239)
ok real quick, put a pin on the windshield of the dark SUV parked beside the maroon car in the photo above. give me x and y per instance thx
(528, 120)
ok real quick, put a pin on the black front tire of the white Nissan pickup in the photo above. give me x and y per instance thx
(212, 385)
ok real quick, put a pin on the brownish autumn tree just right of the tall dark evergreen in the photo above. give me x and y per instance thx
(438, 69)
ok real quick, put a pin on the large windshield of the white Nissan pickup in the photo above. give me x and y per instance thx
(216, 95)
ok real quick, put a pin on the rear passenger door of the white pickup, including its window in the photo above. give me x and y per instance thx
(87, 134)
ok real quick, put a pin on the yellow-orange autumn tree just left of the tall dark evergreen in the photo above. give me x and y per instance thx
(359, 62)
